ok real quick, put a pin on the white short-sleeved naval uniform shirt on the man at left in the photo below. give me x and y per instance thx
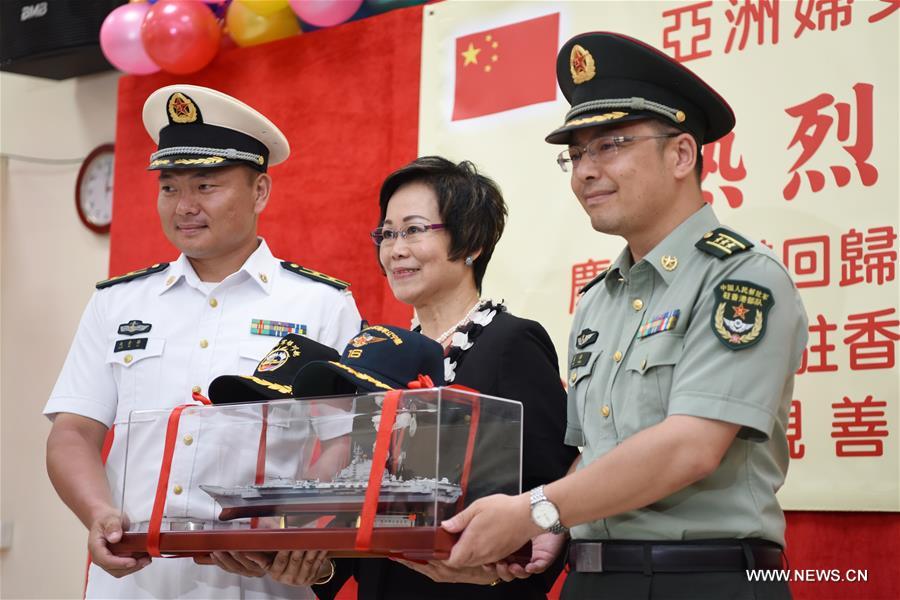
(197, 332)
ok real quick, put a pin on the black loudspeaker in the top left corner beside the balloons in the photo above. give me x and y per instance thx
(56, 39)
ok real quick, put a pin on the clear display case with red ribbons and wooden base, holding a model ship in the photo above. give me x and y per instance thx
(369, 475)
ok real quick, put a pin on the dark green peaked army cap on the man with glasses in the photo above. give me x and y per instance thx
(612, 78)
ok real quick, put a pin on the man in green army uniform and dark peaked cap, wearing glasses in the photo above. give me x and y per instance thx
(681, 357)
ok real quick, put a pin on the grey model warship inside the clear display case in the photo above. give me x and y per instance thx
(342, 495)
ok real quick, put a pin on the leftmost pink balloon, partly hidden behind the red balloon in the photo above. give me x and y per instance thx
(120, 40)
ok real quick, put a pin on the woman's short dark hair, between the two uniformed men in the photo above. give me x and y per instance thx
(470, 204)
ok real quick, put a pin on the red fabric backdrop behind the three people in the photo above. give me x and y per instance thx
(347, 98)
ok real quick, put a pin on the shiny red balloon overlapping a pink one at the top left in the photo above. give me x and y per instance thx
(181, 36)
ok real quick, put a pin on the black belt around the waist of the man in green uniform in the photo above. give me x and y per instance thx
(674, 557)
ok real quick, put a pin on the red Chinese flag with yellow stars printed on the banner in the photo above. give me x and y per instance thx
(507, 67)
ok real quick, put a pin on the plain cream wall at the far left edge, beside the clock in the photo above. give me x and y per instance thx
(48, 264)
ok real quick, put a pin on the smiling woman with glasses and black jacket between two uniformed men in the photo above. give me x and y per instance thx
(439, 225)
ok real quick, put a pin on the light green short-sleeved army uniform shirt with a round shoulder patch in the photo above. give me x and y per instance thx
(707, 325)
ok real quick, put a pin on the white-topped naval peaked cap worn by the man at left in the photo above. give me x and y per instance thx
(198, 127)
